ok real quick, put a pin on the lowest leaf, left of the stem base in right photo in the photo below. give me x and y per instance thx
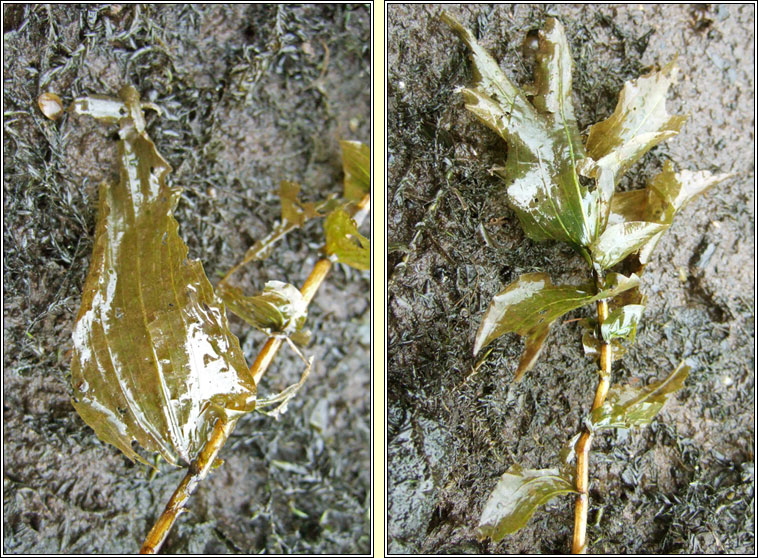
(518, 494)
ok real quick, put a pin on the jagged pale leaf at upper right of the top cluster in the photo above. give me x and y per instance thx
(639, 123)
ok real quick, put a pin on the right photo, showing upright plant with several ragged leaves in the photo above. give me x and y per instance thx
(570, 267)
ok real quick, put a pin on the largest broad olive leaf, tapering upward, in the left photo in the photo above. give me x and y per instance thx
(154, 360)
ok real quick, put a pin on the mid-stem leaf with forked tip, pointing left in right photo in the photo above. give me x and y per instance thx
(529, 305)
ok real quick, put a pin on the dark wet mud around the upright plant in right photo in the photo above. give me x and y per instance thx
(685, 484)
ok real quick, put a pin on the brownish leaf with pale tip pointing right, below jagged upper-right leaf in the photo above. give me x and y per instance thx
(666, 194)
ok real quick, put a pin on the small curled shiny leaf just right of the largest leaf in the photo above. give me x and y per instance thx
(279, 309)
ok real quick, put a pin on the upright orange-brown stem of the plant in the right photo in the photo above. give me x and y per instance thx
(579, 544)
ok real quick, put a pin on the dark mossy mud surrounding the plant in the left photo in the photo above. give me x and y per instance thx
(252, 95)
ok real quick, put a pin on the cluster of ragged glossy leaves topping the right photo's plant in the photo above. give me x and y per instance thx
(546, 155)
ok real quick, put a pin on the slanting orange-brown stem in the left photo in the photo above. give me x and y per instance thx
(223, 428)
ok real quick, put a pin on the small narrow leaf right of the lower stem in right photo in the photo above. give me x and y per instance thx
(626, 406)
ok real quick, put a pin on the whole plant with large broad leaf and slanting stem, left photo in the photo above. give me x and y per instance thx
(154, 360)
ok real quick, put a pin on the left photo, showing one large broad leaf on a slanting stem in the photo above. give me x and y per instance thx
(187, 279)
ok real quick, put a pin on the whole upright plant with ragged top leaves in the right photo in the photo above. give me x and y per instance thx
(563, 187)
